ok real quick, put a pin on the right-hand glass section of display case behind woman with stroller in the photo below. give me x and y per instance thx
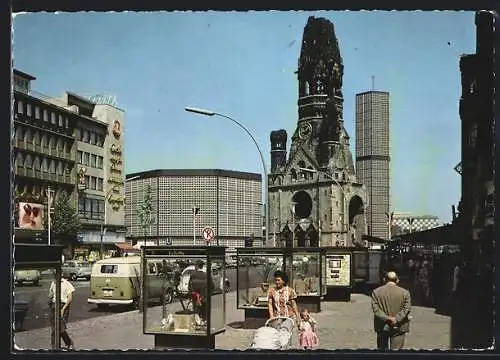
(306, 276)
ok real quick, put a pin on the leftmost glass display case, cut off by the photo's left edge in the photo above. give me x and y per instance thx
(36, 296)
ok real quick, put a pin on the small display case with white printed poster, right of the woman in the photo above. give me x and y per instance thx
(339, 273)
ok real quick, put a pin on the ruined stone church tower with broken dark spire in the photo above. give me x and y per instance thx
(314, 196)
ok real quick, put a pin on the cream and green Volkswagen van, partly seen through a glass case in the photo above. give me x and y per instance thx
(117, 281)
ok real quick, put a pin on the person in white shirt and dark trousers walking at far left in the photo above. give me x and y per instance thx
(67, 290)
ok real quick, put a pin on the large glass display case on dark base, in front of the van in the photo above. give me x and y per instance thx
(198, 277)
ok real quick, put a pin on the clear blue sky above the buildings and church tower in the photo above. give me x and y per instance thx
(242, 64)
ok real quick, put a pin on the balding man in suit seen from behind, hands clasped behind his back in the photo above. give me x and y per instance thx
(391, 306)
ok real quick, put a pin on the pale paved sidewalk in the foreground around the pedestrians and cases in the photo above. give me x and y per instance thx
(342, 325)
